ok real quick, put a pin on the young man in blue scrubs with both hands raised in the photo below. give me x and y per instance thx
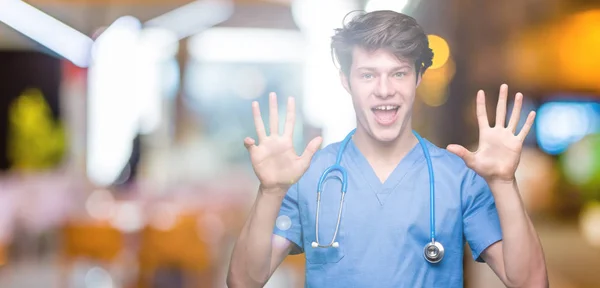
(385, 219)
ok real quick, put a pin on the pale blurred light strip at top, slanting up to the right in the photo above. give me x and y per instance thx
(194, 17)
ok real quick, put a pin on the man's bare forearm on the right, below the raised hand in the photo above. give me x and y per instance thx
(524, 262)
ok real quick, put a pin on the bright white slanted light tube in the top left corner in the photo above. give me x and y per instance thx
(46, 30)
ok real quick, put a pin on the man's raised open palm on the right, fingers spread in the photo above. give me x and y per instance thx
(499, 150)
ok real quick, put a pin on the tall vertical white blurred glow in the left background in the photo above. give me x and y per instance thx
(113, 110)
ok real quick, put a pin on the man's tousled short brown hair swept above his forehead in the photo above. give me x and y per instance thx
(393, 31)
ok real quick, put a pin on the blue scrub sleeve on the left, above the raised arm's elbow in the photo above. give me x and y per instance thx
(288, 223)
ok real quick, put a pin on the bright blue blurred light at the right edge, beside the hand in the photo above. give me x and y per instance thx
(559, 124)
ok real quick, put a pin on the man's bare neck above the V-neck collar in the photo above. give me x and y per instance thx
(390, 152)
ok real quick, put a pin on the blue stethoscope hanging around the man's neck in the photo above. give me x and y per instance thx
(433, 251)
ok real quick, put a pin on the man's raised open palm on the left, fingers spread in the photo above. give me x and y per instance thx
(274, 159)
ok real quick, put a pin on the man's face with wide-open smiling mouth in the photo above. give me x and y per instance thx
(383, 90)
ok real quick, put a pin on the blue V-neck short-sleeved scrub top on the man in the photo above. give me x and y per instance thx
(385, 226)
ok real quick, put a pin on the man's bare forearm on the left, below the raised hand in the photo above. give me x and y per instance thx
(250, 264)
